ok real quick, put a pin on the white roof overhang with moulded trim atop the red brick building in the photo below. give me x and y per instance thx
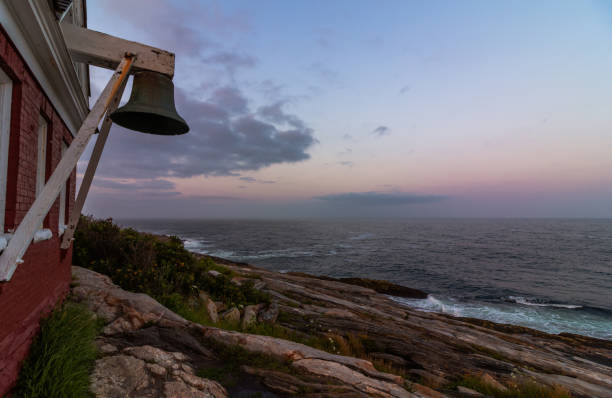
(33, 28)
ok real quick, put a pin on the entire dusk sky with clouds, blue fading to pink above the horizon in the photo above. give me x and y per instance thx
(367, 109)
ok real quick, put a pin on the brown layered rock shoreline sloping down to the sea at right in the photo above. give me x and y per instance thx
(376, 346)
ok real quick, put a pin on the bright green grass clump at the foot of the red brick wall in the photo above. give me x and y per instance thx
(62, 356)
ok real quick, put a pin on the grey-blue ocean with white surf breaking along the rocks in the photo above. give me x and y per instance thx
(551, 275)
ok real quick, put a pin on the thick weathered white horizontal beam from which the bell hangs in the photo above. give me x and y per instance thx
(100, 49)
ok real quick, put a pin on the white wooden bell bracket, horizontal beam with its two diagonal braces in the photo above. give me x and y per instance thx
(97, 49)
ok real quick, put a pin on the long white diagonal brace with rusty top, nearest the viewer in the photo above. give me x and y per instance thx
(17, 246)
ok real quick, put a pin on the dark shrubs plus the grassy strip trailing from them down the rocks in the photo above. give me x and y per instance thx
(161, 267)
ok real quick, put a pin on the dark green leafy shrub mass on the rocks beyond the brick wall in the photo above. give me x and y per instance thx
(159, 266)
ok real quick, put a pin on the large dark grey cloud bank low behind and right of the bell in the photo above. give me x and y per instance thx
(224, 139)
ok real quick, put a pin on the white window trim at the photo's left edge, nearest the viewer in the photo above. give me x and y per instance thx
(6, 91)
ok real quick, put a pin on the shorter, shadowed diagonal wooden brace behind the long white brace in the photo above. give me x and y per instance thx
(91, 170)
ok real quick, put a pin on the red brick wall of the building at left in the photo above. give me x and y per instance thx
(44, 276)
